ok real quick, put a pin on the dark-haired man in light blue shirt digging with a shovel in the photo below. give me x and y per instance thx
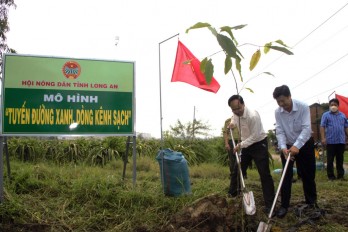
(293, 131)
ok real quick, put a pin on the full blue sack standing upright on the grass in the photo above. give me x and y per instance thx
(174, 172)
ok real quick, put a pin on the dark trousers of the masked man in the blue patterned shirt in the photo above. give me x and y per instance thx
(332, 151)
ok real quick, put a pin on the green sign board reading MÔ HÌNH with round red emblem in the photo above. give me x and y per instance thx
(50, 96)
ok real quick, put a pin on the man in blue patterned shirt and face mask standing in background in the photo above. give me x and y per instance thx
(333, 129)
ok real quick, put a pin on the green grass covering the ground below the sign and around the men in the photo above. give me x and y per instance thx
(78, 198)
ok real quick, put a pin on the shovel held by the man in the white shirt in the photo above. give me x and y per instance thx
(248, 196)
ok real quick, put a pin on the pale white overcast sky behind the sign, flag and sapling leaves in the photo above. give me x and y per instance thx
(316, 30)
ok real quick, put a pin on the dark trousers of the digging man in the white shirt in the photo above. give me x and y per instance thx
(259, 153)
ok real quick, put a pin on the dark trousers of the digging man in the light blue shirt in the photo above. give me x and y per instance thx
(305, 161)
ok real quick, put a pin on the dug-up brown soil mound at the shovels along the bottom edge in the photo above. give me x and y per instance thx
(215, 213)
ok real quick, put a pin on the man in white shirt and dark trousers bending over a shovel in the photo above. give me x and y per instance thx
(253, 145)
